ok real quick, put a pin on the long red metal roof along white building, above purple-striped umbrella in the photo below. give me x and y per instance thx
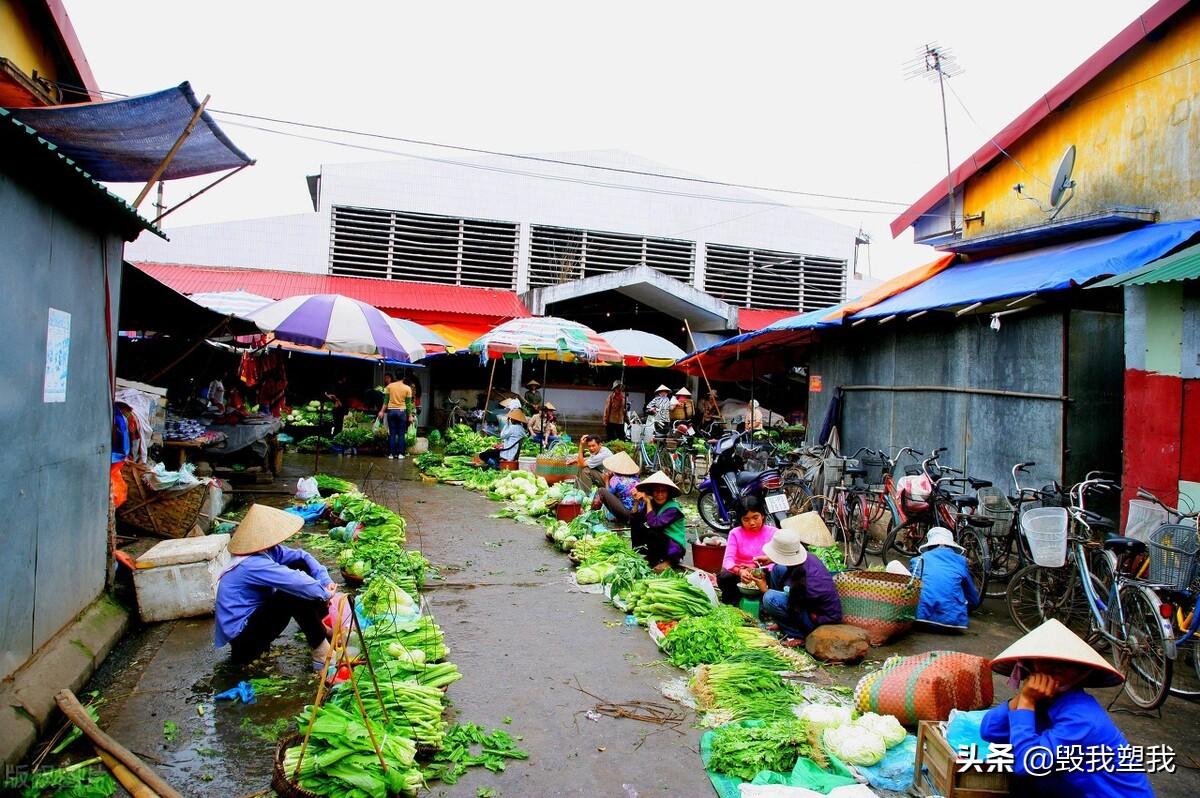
(406, 298)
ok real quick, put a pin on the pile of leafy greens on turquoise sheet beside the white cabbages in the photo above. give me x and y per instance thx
(743, 751)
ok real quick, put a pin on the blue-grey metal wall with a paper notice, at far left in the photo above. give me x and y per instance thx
(55, 459)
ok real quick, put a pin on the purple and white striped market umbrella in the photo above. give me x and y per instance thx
(338, 326)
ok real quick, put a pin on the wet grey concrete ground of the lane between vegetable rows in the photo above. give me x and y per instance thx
(524, 643)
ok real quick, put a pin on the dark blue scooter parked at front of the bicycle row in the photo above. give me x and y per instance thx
(728, 483)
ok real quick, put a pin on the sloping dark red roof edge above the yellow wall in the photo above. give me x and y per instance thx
(1138, 31)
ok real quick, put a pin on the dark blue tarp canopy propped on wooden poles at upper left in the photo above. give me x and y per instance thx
(124, 141)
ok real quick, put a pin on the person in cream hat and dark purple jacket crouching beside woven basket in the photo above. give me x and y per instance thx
(797, 593)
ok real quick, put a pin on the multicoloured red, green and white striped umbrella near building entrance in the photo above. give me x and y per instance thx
(545, 338)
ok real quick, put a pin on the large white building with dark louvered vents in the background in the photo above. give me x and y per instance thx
(526, 226)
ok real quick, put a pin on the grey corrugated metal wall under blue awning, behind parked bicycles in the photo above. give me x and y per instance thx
(985, 434)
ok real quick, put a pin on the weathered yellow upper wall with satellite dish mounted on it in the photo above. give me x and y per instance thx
(1137, 134)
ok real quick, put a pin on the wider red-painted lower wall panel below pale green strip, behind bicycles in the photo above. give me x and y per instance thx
(1154, 431)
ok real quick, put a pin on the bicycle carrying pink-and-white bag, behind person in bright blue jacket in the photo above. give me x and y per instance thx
(916, 514)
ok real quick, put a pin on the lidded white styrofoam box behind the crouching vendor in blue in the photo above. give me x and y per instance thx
(178, 579)
